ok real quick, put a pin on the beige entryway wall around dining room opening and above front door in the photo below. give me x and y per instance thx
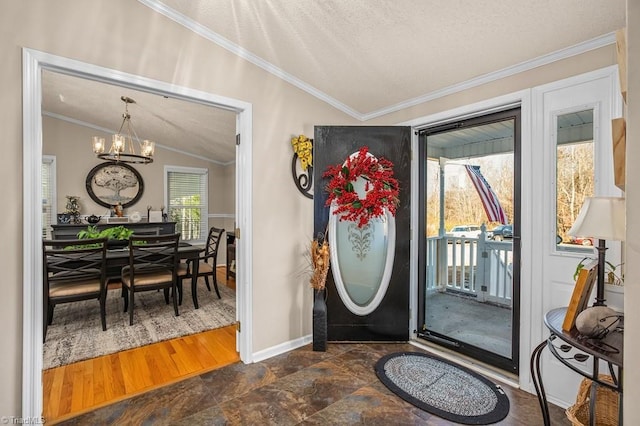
(127, 36)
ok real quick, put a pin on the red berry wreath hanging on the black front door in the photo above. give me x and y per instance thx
(381, 187)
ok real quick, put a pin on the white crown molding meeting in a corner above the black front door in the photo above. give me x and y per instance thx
(558, 55)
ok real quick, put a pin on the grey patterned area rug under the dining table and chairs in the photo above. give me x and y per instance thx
(76, 333)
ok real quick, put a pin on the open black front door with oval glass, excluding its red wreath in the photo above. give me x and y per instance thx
(368, 283)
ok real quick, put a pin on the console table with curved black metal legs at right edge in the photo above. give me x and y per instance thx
(608, 349)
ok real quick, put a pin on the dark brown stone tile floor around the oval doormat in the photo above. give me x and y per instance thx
(301, 387)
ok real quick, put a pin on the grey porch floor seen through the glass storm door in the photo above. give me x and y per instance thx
(460, 317)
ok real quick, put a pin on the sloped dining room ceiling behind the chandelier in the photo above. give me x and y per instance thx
(199, 130)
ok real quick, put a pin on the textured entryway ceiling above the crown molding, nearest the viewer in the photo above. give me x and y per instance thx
(370, 55)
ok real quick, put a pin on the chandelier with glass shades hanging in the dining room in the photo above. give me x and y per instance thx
(122, 143)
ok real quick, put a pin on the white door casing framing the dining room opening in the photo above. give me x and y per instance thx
(34, 62)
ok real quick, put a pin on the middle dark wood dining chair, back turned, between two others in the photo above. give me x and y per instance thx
(153, 264)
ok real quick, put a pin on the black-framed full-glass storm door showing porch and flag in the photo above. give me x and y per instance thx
(469, 256)
